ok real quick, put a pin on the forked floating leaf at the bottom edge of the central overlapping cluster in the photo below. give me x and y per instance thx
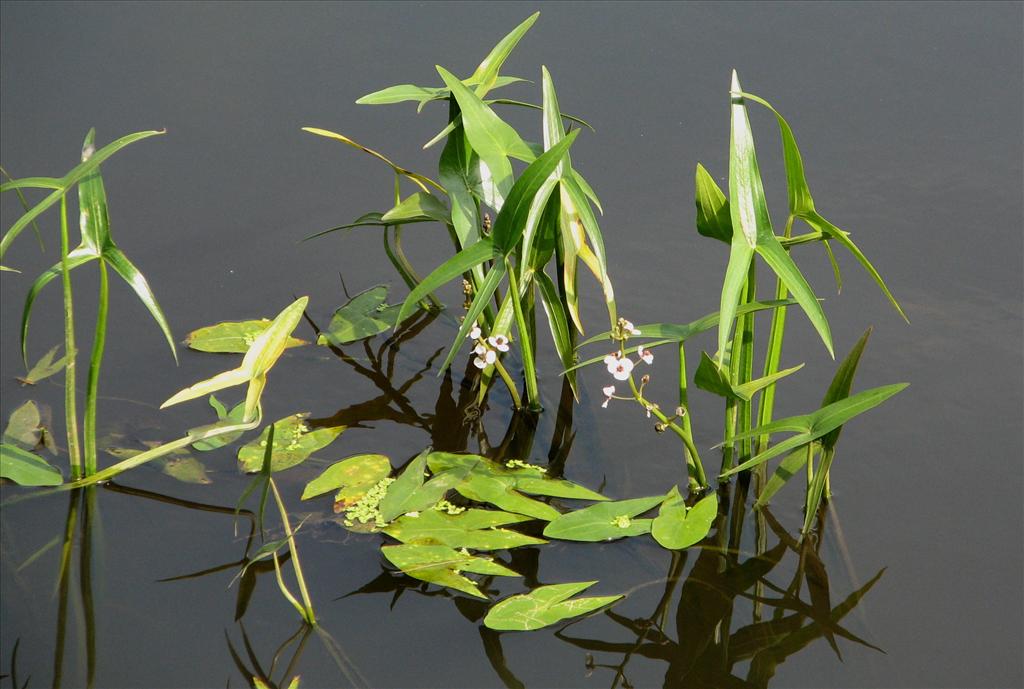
(443, 566)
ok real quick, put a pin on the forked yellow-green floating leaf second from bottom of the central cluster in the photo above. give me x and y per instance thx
(475, 529)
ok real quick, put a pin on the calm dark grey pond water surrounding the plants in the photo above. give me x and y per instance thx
(910, 120)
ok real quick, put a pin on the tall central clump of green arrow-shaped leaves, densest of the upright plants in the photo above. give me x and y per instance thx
(542, 218)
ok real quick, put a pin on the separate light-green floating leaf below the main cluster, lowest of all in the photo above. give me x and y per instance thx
(544, 607)
